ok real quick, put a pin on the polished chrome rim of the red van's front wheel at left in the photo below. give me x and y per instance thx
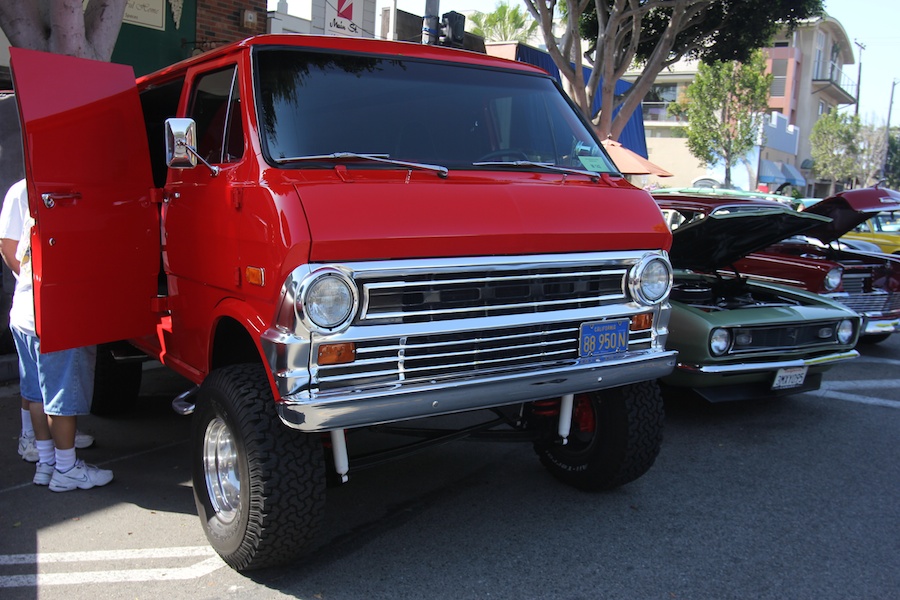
(220, 466)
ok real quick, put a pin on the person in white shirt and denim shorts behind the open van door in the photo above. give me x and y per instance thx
(57, 386)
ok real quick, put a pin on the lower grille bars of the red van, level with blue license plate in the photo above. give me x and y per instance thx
(437, 356)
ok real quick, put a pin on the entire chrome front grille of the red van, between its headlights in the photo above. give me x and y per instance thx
(527, 314)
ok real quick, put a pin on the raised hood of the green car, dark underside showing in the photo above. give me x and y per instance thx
(719, 240)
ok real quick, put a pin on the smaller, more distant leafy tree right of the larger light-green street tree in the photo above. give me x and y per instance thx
(835, 147)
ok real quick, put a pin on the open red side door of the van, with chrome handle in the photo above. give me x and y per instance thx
(95, 245)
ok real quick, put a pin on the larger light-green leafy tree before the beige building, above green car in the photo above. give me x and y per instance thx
(725, 106)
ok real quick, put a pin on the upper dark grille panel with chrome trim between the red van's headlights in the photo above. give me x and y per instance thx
(417, 298)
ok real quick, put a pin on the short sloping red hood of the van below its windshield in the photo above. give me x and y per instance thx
(419, 215)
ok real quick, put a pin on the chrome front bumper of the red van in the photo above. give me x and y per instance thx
(400, 402)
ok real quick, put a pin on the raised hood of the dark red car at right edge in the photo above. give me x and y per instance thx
(850, 208)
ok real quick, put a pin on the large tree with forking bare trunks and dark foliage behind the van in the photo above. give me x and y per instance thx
(654, 34)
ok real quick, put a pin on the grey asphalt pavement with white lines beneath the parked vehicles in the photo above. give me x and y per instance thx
(790, 498)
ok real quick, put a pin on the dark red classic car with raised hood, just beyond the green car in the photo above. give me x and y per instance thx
(866, 282)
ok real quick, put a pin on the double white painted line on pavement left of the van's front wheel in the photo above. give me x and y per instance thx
(210, 563)
